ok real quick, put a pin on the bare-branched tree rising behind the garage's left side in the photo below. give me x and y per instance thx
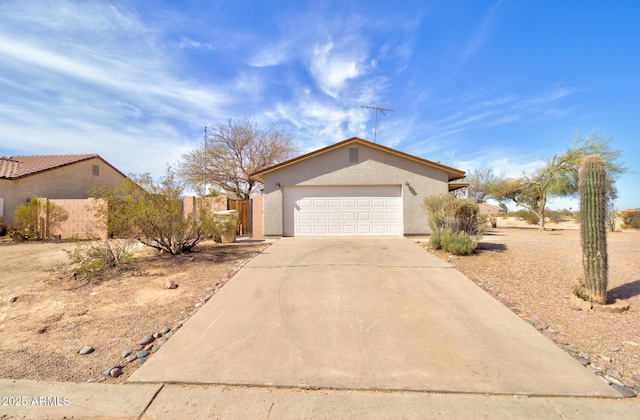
(231, 153)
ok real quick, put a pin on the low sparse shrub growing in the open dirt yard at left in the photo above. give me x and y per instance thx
(93, 259)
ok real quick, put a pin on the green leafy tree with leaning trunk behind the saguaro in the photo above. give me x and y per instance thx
(560, 175)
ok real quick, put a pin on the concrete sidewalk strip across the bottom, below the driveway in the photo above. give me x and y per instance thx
(157, 401)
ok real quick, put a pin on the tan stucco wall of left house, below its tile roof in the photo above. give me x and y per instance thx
(68, 182)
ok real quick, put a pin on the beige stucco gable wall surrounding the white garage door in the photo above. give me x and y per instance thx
(375, 167)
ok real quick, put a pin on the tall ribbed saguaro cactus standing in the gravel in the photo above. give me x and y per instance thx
(593, 230)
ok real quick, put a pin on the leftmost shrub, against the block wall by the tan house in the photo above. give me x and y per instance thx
(36, 219)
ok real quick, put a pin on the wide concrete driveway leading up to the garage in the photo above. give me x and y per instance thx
(362, 314)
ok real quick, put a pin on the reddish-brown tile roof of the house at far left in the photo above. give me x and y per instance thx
(12, 167)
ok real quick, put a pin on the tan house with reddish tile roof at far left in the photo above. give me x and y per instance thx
(51, 176)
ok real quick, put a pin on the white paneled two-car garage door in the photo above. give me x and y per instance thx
(343, 211)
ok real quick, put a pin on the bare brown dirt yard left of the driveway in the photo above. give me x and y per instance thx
(47, 316)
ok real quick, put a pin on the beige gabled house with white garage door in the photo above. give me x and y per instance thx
(352, 188)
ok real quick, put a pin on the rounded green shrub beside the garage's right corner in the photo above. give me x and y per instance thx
(454, 222)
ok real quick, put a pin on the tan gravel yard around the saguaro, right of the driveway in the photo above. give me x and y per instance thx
(532, 272)
